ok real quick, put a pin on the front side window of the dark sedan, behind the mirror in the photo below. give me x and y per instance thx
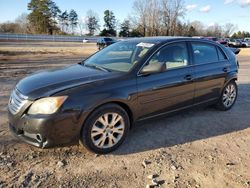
(173, 56)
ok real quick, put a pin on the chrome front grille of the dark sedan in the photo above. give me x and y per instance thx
(17, 101)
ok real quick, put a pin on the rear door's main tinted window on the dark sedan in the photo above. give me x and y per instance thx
(204, 53)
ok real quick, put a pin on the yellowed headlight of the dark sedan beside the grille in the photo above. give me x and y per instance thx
(48, 105)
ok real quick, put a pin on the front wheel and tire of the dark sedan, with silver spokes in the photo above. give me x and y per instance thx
(99, 134)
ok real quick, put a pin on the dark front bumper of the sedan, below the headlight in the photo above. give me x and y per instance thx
(46, 130)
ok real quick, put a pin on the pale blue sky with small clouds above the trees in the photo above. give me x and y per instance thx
(208, 12)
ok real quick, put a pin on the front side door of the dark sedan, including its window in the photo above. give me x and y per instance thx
(168, 90)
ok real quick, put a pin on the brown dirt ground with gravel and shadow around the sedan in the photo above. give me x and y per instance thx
(202, 147)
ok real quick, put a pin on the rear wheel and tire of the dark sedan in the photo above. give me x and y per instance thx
(229, 97)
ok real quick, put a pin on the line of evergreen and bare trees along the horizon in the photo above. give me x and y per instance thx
(148, 18)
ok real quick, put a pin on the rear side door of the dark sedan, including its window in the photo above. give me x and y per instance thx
(210, 69)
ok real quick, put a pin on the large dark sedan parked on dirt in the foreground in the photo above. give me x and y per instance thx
(98, 100)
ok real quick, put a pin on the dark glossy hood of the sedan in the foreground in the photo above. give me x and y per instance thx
(46, 83)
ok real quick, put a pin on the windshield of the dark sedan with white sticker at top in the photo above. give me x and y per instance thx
(121, 56)
